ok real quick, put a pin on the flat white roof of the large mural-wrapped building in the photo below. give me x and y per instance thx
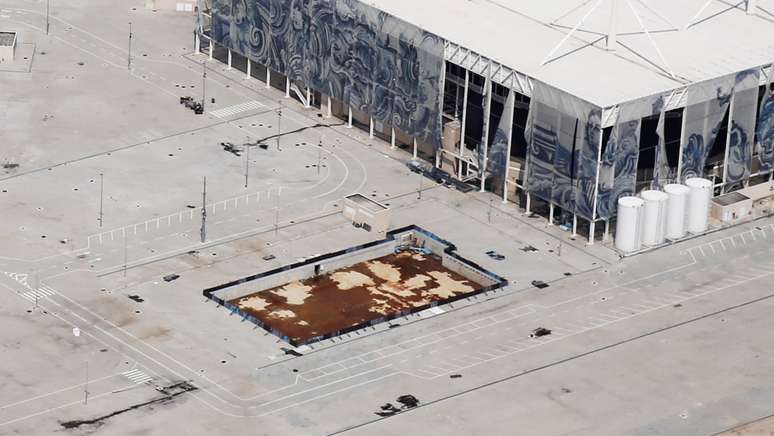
(661, 45)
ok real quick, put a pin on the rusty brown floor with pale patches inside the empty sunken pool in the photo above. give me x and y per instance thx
(355, 295)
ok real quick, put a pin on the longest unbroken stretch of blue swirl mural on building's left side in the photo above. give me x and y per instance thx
(357, 54)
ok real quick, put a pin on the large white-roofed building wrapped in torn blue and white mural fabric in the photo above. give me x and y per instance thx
(563, 106)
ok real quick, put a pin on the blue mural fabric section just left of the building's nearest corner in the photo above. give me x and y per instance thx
(563, 149)
